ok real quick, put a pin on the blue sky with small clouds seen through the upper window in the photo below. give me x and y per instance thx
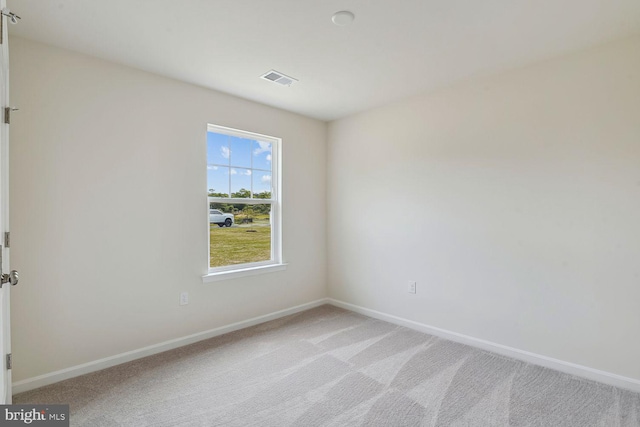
(246, 161)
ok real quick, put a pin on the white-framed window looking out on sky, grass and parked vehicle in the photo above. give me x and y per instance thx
(244, 205)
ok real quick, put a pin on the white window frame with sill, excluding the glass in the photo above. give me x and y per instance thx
(252, 268)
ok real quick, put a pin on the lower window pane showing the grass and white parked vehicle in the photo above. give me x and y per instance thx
(242, 234)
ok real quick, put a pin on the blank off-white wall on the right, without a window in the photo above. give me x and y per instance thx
(513, 201)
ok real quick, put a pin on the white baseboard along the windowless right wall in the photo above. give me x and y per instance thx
(536, 359)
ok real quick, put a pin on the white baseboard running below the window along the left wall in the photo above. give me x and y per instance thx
(107, 362)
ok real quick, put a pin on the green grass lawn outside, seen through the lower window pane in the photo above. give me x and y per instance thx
(236, 245)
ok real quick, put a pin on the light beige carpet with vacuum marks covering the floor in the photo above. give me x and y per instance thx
(330, 367)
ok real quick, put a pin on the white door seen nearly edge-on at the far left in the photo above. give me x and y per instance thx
(5, 327)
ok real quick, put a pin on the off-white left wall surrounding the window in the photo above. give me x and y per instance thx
(108, 209)
